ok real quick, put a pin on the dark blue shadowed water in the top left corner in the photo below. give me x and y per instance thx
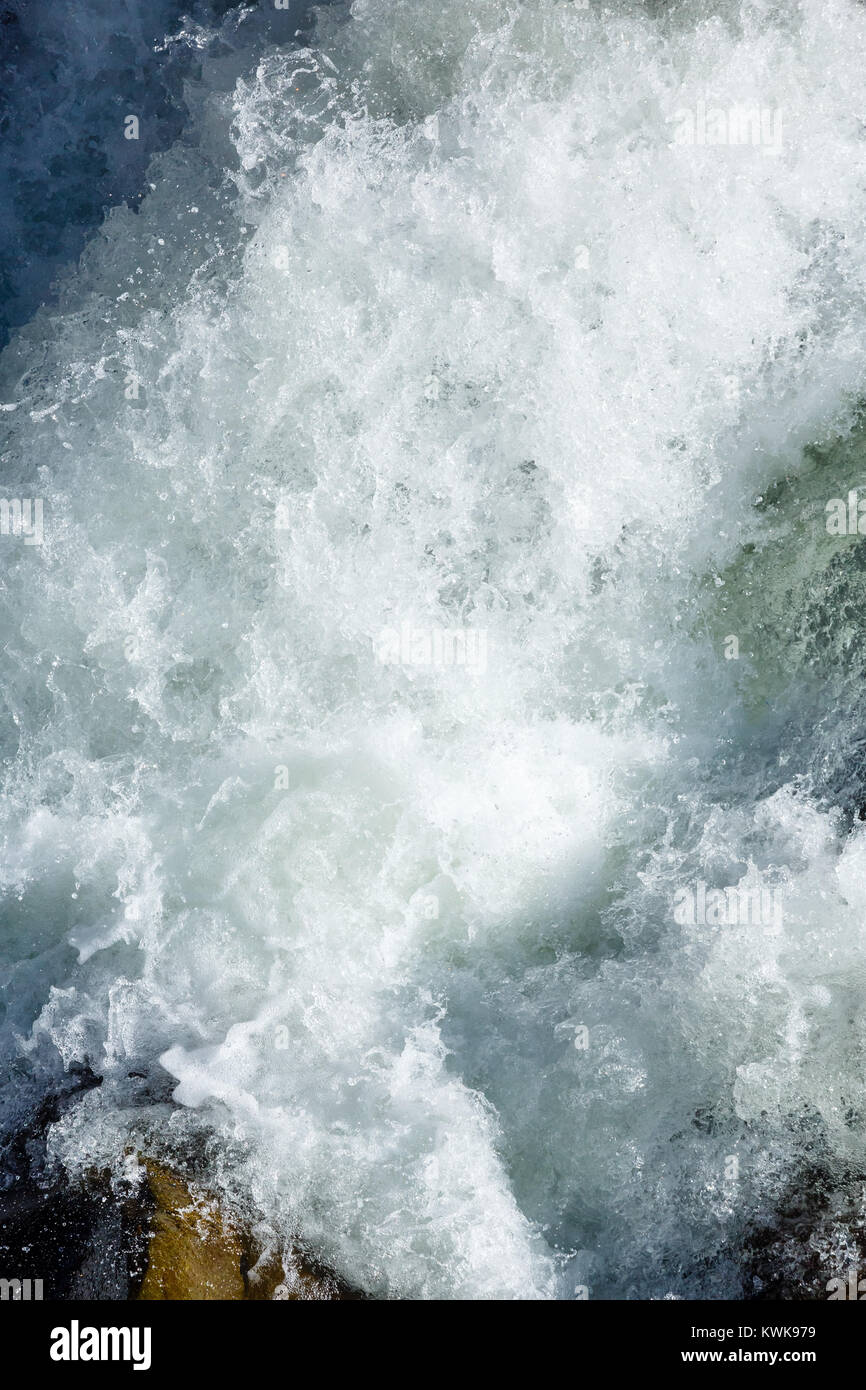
(70, 74)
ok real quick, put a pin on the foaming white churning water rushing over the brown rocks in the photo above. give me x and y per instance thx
(433, 322)
